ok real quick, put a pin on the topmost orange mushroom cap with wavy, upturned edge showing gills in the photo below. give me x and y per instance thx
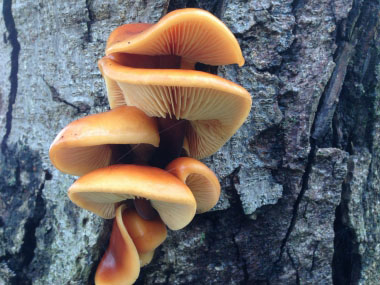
(194, 34)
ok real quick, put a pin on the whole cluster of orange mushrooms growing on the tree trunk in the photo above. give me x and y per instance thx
(138, 162)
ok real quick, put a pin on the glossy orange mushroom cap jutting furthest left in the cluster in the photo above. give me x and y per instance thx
(85, 144)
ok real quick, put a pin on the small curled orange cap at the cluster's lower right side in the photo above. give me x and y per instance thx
(199, 178)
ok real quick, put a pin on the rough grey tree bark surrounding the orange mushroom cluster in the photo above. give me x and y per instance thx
(301, 180)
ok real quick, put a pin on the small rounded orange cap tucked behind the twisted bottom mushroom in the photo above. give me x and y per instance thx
(147, 235)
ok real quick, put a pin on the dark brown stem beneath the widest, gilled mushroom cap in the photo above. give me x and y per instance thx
(172, 133)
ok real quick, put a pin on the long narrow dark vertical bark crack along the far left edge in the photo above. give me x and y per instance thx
(13, 77)
